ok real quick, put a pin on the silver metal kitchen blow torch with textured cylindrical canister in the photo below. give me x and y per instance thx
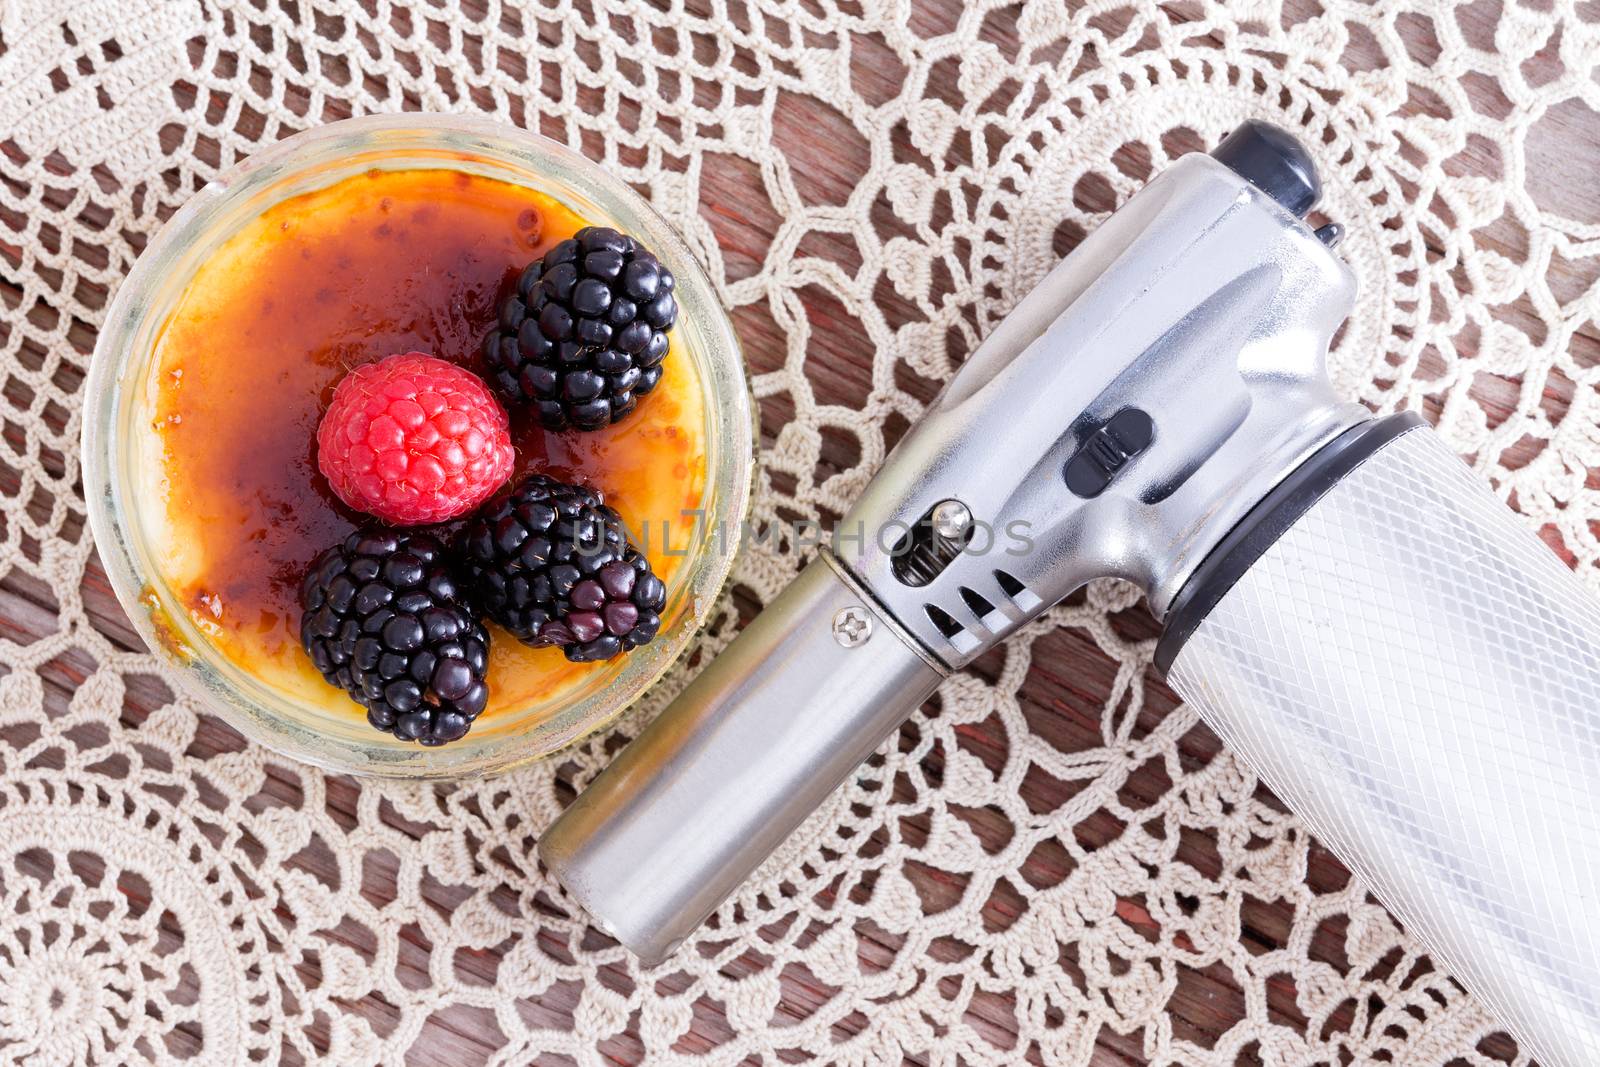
(1345, 602)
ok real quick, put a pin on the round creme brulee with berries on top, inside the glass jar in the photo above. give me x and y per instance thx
(422, 263)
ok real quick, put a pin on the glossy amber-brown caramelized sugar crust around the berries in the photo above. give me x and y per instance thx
(380, 263)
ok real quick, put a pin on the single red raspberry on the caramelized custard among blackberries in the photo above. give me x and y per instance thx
(414, 441)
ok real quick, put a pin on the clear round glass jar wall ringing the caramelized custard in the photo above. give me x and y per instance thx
(122, 393)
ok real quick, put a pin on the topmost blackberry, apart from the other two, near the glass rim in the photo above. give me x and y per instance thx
(586, 330)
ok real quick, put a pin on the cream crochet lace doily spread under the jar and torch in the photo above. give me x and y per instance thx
(1054, 861)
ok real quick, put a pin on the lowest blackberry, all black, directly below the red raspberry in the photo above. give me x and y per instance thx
(385, 621)
